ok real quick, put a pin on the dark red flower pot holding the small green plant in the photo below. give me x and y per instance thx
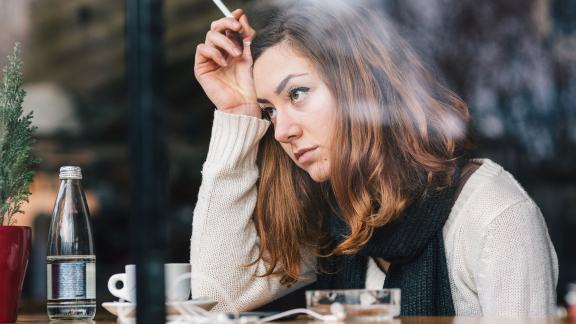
(15, 244)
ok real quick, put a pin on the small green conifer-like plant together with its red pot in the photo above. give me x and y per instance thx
(17, 163)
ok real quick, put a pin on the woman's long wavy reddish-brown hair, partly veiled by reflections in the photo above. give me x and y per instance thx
(398, 133)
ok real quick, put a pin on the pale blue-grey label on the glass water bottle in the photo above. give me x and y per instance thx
(71, 280)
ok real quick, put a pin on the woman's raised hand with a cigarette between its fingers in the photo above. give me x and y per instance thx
(224, 68)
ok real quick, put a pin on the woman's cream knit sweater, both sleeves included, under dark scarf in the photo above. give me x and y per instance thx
(501, 261)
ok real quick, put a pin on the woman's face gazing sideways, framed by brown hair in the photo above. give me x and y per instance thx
(300, 106)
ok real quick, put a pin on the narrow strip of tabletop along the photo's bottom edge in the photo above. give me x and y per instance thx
(42, 318)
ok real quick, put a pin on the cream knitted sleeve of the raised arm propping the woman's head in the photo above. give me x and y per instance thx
(224, 239)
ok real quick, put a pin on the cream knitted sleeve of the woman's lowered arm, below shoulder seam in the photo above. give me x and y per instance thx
(518, 267)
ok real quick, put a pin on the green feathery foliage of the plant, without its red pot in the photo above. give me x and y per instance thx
(17, 160)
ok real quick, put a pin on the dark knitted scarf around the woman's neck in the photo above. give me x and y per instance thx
(414, 246)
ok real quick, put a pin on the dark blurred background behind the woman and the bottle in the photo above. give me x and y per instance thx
(513, 61)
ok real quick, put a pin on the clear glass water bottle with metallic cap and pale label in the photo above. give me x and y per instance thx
(71, 263)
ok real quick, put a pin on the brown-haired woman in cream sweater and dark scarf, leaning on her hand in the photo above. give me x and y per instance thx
(357, 176)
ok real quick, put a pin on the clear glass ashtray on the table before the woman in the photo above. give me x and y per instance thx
(358, 304)
